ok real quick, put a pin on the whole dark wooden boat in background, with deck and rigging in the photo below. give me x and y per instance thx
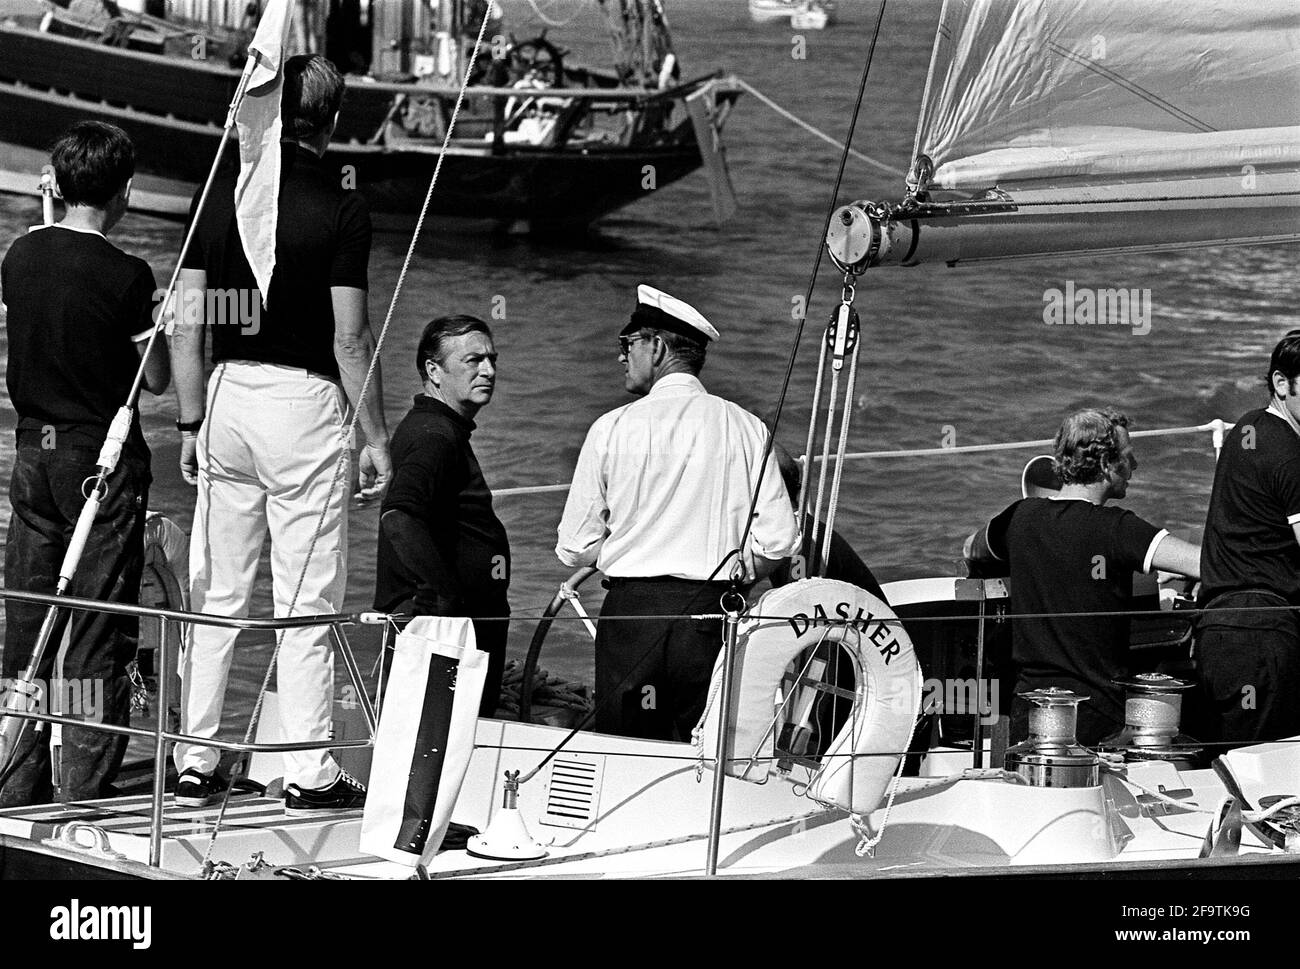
(536, 141)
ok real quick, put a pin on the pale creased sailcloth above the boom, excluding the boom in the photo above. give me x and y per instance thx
(1110, 90)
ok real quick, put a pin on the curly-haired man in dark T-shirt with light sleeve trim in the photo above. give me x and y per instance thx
(1071, 553)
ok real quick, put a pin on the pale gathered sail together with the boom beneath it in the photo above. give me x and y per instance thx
(1054, 127)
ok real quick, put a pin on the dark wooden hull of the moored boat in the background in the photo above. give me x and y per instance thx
(174, 110)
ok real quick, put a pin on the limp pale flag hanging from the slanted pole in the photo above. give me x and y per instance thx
(258, 120)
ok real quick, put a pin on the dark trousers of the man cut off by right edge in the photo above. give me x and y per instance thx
(1250, 665)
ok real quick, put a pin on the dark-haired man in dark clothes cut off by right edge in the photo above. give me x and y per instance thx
(1249, 644)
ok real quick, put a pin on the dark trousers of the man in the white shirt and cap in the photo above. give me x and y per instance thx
(652, 676)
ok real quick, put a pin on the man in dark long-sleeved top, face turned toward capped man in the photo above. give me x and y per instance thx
(443, 550)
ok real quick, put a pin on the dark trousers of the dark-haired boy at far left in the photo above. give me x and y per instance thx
(46, 495)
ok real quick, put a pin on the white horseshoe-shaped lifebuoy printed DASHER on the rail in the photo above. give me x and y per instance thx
(887, 695)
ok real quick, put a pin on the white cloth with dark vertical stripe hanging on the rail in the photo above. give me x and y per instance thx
(424, 739)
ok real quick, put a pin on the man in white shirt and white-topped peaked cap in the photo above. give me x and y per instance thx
(660, 503)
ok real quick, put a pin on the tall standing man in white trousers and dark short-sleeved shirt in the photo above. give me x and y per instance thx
(267, 451)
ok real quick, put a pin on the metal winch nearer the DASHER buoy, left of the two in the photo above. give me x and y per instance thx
(1052, 758)
